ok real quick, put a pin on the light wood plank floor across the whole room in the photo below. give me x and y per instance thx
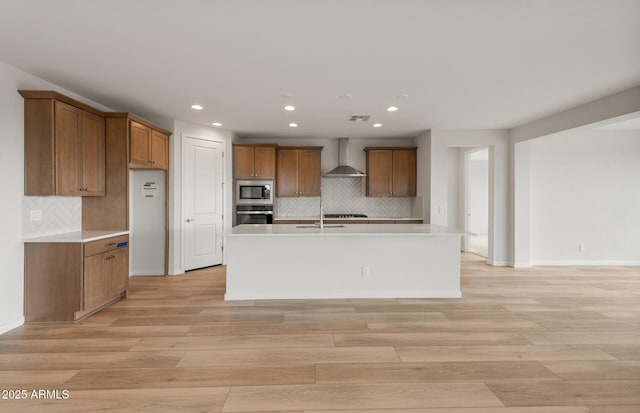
(544, 340)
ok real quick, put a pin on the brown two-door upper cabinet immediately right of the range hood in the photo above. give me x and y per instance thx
(391, 171)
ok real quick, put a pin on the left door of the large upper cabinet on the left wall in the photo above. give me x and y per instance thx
(68, 127)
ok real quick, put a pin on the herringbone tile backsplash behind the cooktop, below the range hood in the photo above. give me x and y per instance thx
(344, 195)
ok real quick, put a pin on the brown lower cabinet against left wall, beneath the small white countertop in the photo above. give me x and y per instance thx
(69, 281)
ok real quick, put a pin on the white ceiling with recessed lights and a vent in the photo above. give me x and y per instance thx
(464, 64)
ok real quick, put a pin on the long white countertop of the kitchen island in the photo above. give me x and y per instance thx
(346, 230)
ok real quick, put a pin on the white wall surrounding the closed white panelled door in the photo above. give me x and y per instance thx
(180, 130)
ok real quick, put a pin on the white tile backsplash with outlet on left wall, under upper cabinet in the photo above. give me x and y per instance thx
(59, 214)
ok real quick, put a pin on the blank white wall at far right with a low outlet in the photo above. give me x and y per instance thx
(585, 189)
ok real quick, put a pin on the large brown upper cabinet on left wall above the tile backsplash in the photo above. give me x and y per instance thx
(64, 146)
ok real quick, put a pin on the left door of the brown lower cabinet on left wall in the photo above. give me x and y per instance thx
(96, 281)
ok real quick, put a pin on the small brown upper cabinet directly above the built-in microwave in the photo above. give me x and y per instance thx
(254, 161)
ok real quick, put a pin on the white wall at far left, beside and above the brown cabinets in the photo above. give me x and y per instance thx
(12, 188)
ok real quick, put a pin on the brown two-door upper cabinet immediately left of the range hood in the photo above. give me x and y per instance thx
(298, 171)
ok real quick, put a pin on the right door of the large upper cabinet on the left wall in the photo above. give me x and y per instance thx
(93, 155)
